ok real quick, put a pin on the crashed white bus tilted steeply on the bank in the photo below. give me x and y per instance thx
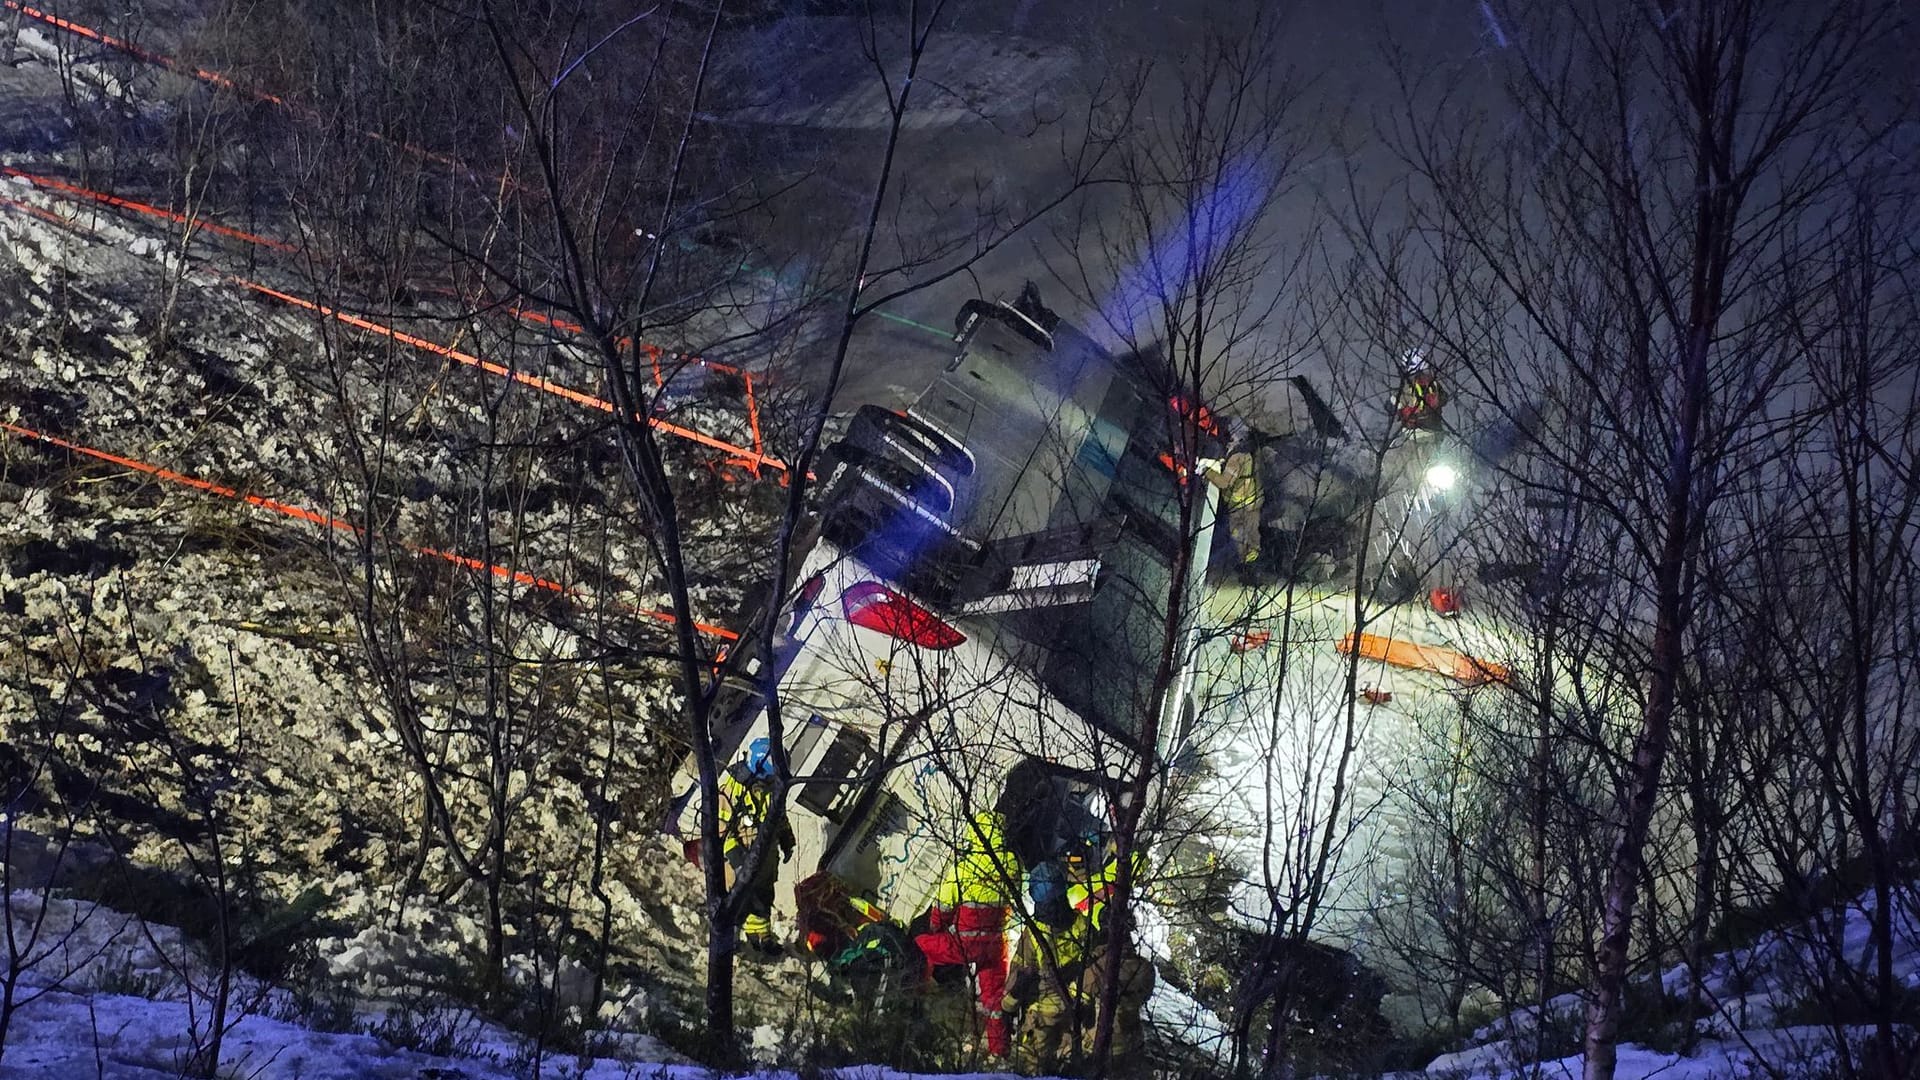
(988, 599)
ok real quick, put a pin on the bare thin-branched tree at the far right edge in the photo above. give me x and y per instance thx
(1835, 602)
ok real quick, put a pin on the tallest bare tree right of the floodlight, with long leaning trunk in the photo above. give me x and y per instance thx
(1616, 251)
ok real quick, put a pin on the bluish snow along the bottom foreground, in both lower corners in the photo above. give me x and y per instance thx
(114, 996)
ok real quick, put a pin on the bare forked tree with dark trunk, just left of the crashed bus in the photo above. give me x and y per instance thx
(581, 258)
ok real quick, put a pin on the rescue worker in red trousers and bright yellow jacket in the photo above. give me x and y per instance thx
(967, 925)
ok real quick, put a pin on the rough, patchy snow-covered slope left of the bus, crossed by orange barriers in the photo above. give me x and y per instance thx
(176, 654)
